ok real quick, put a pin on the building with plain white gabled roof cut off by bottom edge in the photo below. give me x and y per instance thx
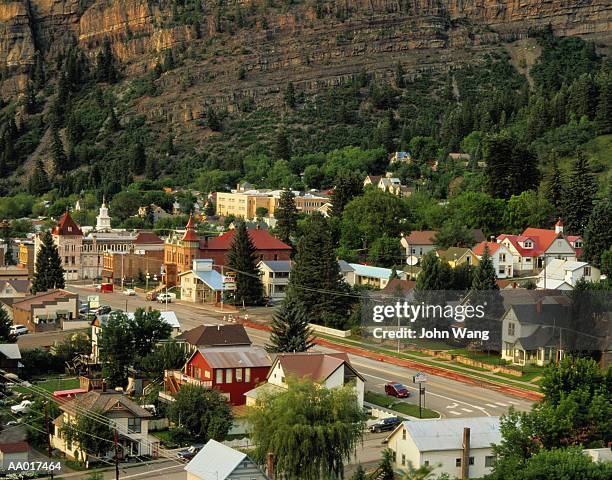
(218, 462)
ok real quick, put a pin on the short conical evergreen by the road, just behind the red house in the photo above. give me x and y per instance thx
(290, 330)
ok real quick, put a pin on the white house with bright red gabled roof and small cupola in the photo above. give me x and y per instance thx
(535, 246)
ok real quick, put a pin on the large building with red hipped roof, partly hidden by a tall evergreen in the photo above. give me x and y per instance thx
(268, 246)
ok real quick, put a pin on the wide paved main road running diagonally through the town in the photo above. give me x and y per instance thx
(451, 398)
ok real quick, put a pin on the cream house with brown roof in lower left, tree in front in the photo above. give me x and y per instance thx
(130, 420)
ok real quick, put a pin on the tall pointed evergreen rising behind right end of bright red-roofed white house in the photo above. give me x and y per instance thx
(578, 196)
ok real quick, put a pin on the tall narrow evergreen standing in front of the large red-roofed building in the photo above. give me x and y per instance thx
(242, 259)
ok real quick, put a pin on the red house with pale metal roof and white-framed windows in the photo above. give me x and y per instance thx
(231, 370)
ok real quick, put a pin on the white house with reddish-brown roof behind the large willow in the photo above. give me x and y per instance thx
(327, 369)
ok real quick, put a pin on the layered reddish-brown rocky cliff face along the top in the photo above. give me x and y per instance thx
(313, 43)
